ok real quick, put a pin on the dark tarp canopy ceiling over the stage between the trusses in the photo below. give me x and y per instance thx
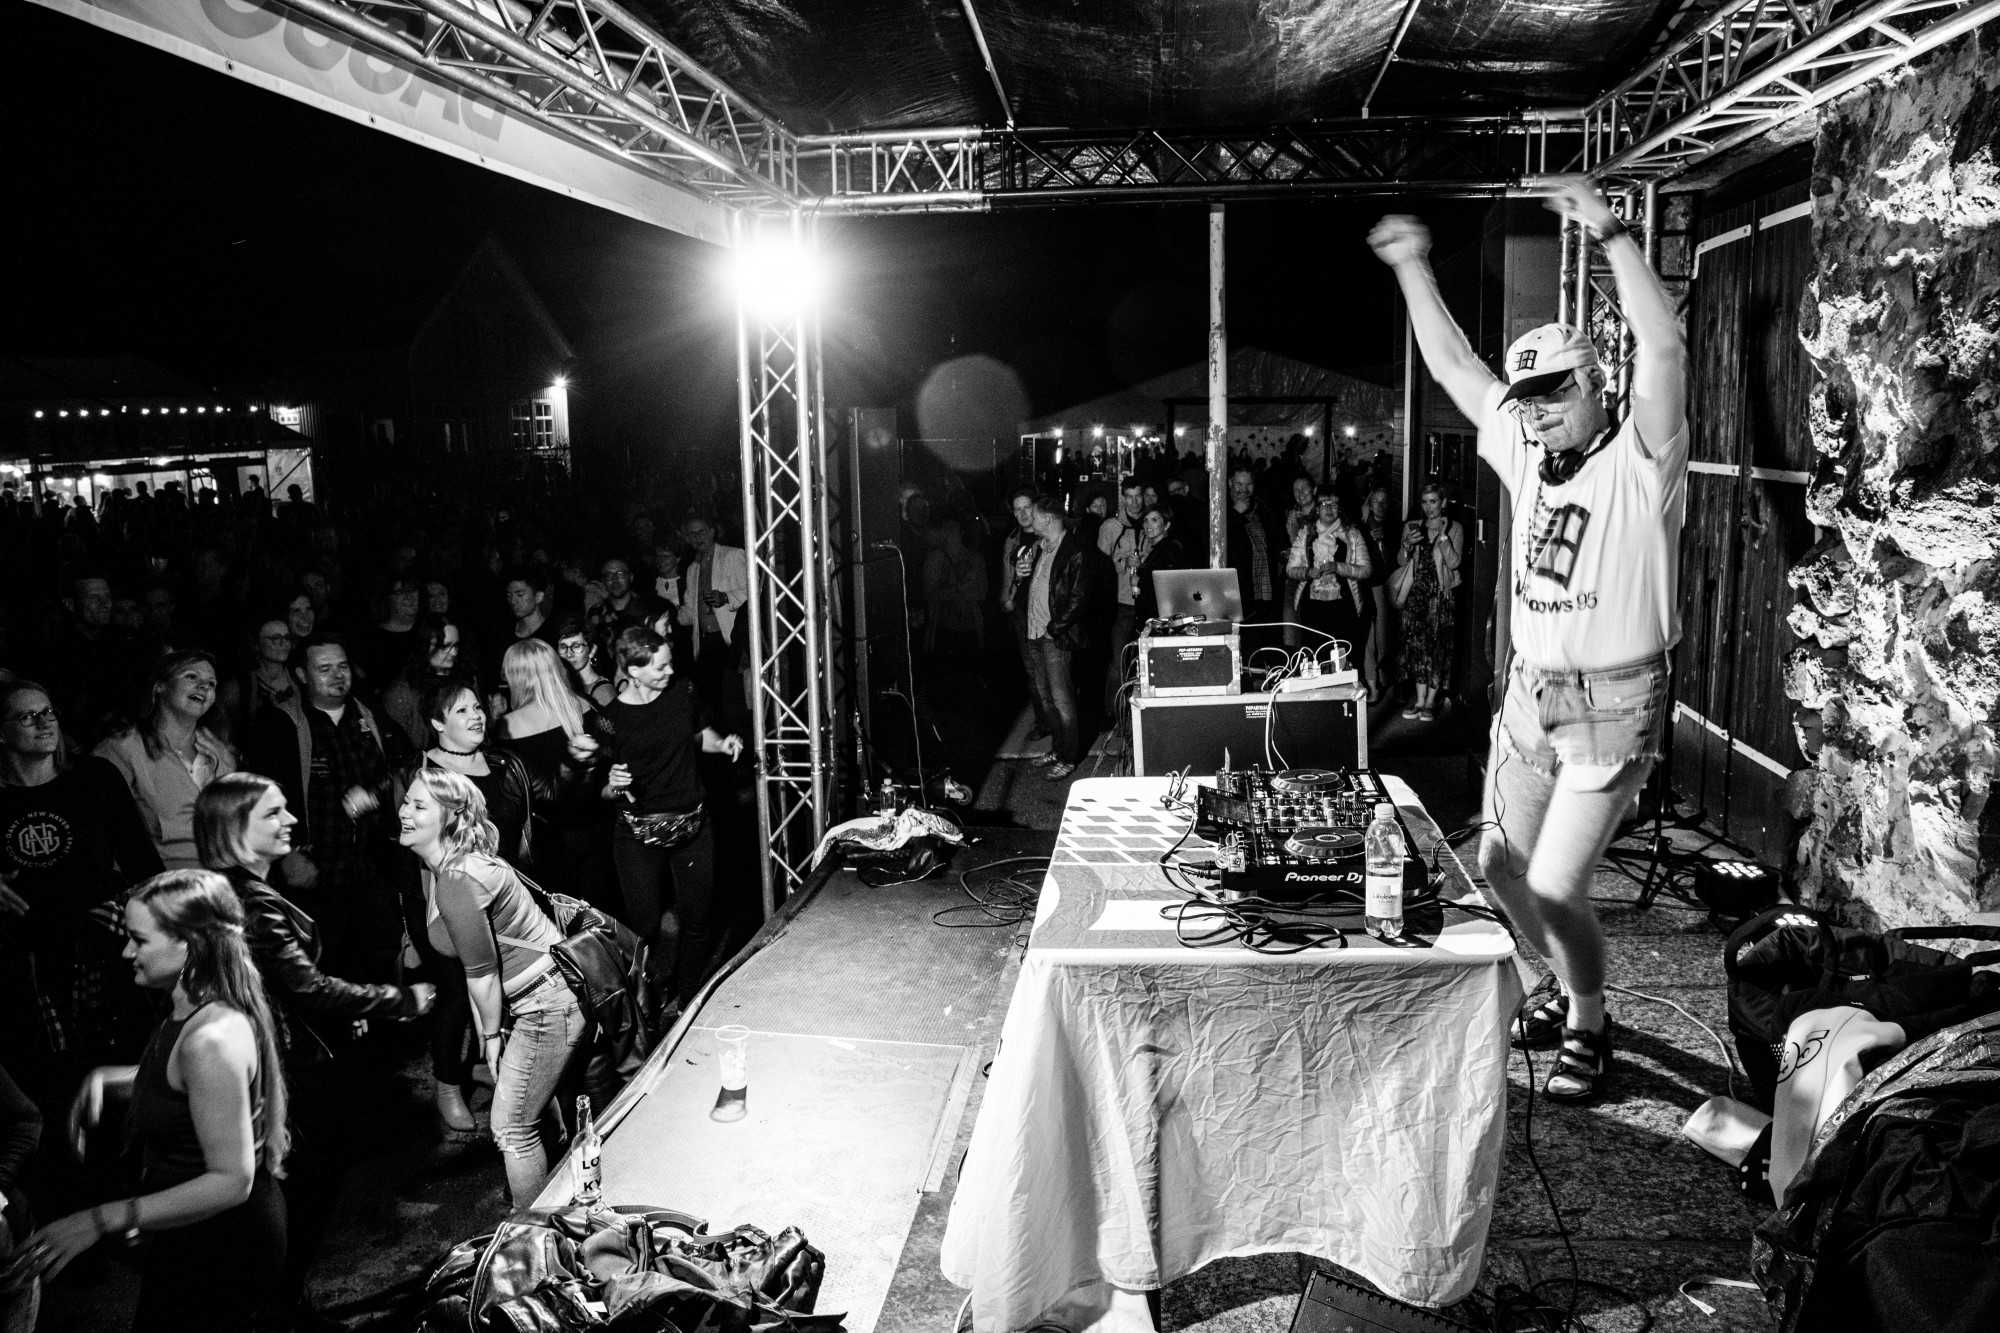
(835, 67)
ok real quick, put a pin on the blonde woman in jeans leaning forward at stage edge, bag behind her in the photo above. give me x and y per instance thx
(481, 914)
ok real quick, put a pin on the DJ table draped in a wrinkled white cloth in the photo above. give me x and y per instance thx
(1157, 1108)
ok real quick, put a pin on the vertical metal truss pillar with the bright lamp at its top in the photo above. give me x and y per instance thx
(785, 535)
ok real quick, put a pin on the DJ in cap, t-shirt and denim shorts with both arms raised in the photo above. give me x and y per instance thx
(1599, 501)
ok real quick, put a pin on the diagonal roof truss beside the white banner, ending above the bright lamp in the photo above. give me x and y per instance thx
(593, 73)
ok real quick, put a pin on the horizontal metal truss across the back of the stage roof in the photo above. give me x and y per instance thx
(977, 169)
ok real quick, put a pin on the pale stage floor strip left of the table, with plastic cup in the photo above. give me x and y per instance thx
(871, 1028)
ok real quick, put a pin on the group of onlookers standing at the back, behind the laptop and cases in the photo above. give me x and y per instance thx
(1073, 581)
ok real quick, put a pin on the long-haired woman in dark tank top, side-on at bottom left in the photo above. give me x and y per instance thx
(207, 1118)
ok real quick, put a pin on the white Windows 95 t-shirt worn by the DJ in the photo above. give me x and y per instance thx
(1595, 563)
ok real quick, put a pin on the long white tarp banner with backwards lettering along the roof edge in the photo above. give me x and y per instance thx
(279, 51)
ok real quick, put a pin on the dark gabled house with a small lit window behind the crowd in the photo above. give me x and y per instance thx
(489, 377)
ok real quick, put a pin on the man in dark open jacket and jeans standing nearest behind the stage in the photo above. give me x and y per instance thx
(1057, 607)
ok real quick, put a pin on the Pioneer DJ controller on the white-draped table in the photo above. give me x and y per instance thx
(1295, 834)
